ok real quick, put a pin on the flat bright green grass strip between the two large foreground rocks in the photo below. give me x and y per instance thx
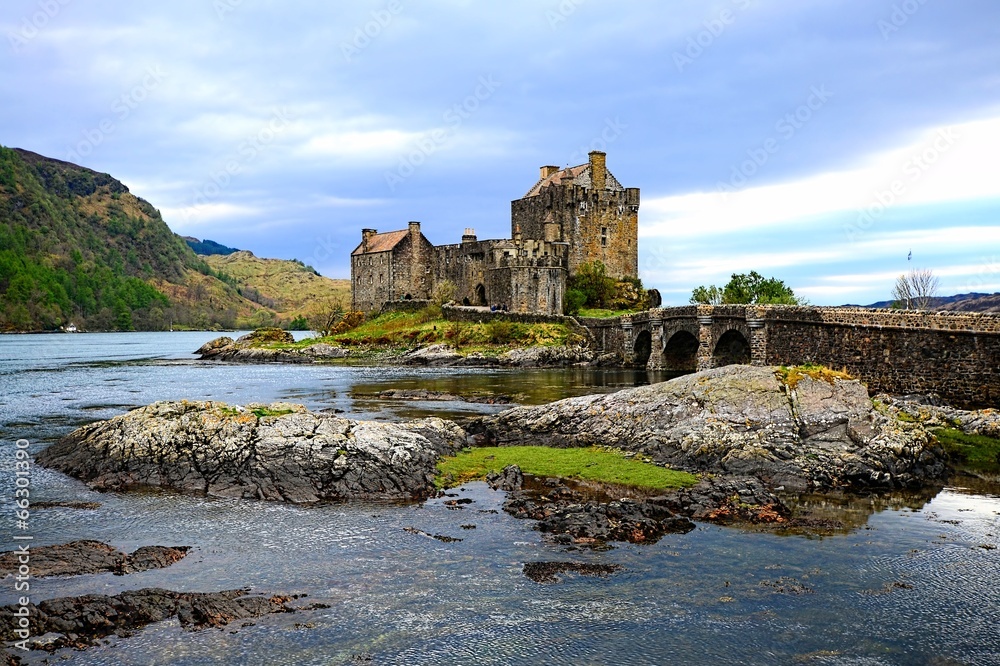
(589, 464)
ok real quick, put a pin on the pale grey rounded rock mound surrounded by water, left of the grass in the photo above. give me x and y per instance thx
(275, 452)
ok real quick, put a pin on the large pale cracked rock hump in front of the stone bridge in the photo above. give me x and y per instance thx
(738, 420)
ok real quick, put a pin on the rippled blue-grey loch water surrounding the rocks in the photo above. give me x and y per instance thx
(914, 580)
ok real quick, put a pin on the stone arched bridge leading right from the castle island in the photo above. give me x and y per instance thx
(953, 354)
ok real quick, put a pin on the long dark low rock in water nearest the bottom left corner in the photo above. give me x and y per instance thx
(82, 621)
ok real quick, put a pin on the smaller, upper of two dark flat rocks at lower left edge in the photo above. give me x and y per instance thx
(89, 557)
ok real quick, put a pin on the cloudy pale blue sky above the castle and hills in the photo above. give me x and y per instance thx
(819, 142)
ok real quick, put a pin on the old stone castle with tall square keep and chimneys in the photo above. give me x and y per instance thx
(570, 217)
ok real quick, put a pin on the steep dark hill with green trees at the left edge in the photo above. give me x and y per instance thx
(77, 247)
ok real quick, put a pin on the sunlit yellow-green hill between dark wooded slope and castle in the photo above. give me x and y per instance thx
(289, 288)
